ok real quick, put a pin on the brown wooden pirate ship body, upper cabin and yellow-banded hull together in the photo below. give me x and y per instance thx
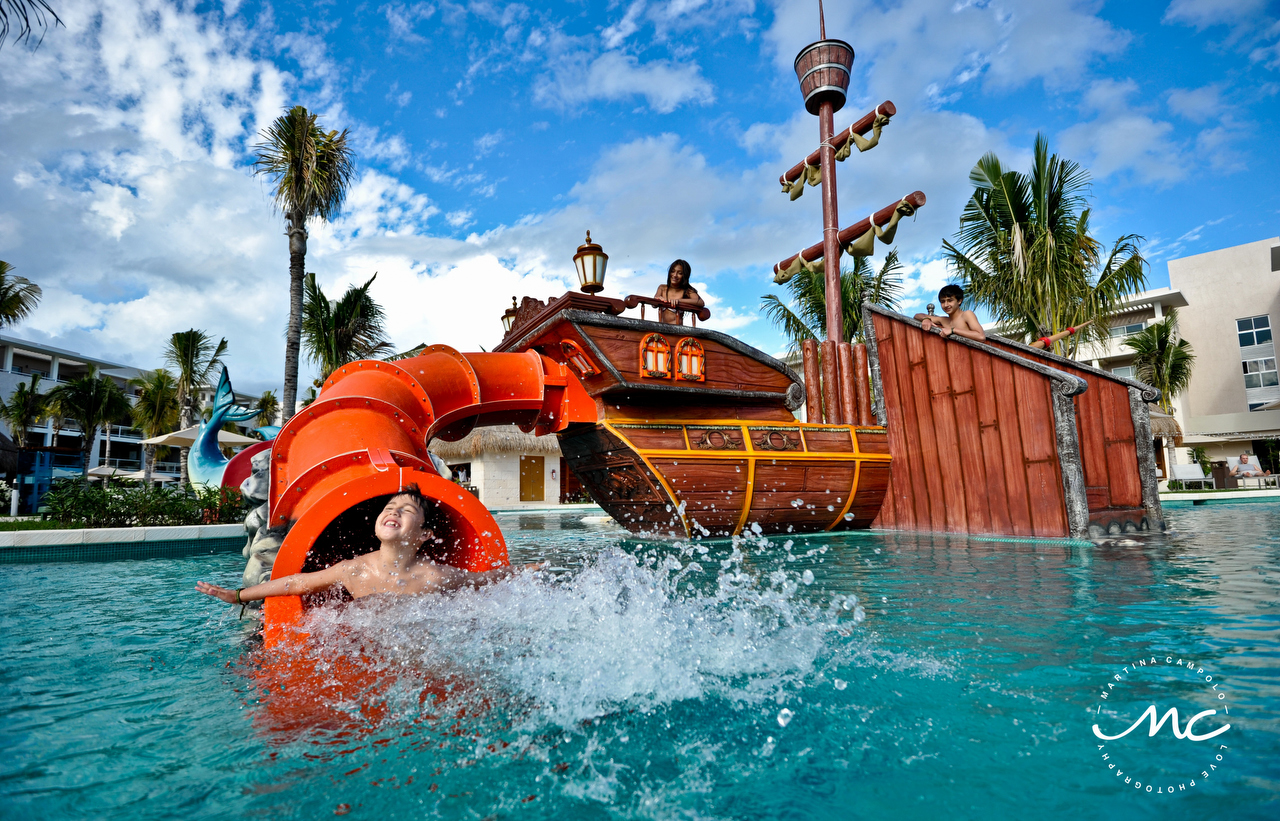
(694, 431)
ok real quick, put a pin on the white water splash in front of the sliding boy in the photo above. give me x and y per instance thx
(627, 632)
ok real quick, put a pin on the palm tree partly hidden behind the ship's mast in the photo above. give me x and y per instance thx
(808, 293)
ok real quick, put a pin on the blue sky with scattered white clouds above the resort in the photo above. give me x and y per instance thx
(492, 136)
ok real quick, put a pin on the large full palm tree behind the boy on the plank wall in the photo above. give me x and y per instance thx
(1025, 252)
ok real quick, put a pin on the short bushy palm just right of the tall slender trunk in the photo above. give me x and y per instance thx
(340, 332)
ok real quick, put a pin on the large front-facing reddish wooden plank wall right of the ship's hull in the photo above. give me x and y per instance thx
(972, 436)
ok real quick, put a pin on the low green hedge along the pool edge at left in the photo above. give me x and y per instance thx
(74, 504)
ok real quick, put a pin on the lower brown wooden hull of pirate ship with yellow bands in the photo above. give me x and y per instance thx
(719, 478)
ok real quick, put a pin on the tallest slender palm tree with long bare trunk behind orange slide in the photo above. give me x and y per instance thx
(310, 171)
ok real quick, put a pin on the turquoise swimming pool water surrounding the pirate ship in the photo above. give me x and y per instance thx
(865, 676)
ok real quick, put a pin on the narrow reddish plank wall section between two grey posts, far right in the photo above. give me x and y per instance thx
(1108, 443)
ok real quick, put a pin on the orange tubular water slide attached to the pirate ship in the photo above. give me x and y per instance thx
(368, 434)
